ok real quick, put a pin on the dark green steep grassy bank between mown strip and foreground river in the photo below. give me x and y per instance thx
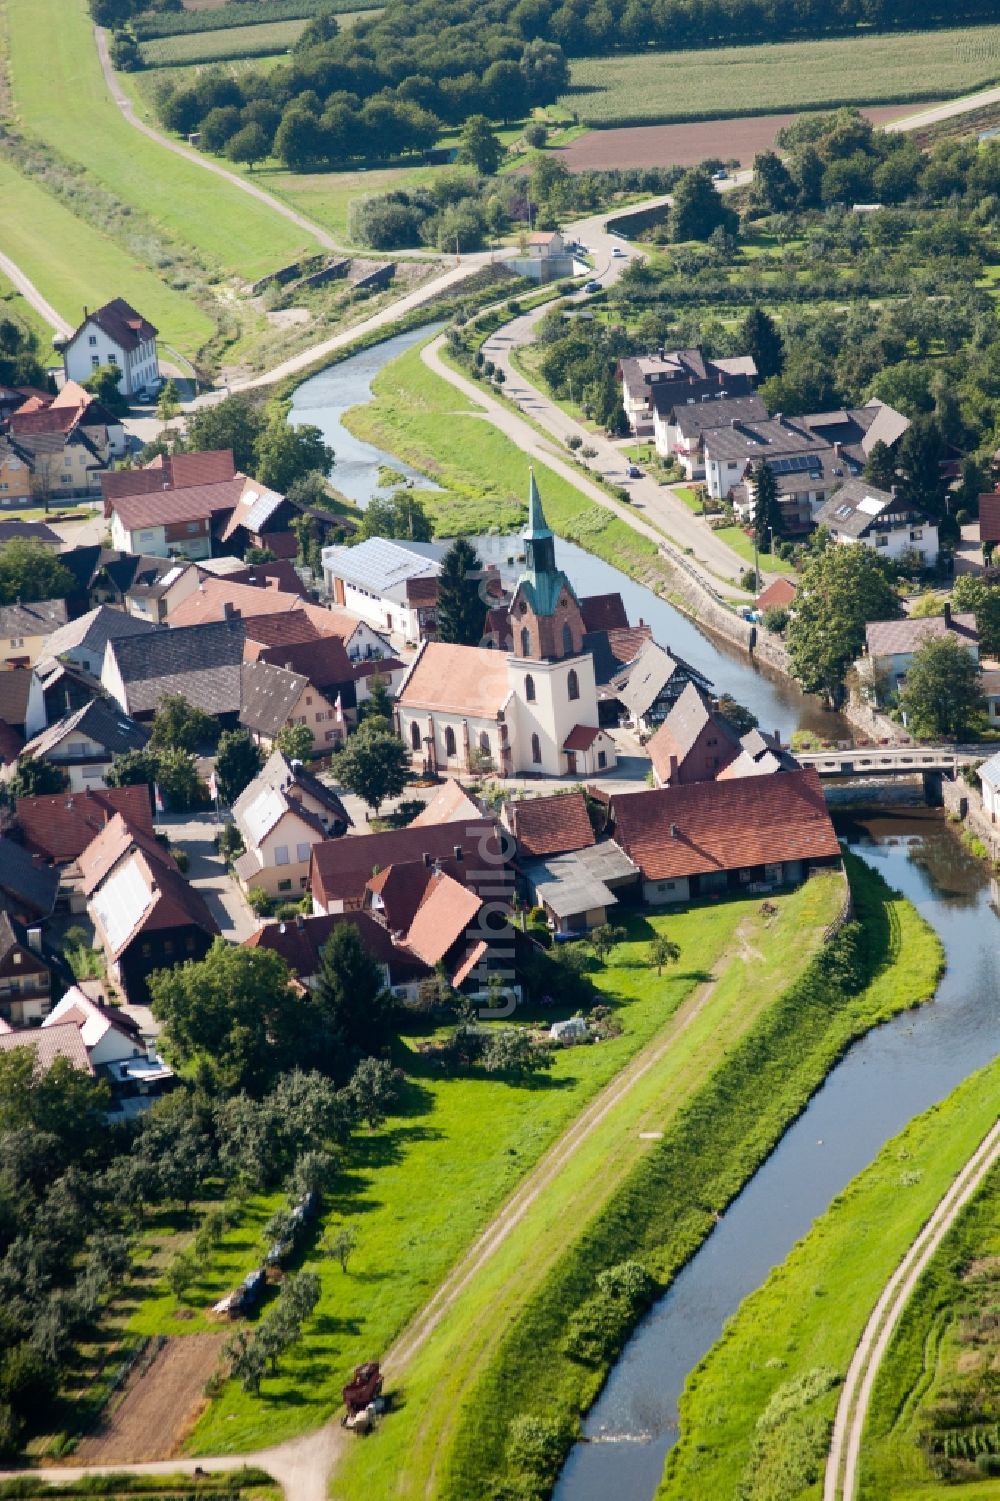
(667, 1206)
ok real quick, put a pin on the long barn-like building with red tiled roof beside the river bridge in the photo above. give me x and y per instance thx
(708, 838)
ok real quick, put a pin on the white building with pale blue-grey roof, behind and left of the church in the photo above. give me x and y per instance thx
(390, 585)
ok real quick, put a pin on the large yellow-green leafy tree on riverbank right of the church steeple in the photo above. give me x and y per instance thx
(843, 589)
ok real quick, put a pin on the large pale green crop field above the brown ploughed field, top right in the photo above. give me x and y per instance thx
(651, 88)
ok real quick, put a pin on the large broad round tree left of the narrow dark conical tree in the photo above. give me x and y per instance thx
(235, 1011)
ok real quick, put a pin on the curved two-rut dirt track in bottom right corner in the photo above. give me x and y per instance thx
(842, 1469)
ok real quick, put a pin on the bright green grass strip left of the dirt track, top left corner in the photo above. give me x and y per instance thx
(56, 77)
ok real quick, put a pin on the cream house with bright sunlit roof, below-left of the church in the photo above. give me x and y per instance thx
(282, 817)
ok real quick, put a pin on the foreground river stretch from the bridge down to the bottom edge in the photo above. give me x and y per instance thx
(885, 1080)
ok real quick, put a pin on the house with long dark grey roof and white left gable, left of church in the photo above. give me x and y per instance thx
(202, 663)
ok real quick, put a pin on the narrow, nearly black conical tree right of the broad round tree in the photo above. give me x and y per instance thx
(352, 1011)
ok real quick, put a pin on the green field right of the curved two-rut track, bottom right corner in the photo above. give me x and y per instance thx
(938, 1374)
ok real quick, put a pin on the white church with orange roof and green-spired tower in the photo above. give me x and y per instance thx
(532, 711)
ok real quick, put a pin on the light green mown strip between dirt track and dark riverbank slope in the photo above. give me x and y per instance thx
(438, 1389)
